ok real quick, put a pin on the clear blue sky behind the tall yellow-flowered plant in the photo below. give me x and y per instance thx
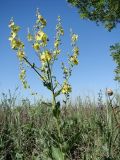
(95, 70)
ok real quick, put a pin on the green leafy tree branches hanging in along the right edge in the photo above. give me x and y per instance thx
(106, 12)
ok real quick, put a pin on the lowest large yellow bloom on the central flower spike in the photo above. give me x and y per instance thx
(46, 56)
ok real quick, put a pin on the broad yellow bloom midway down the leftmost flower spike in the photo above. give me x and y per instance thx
(16, 44)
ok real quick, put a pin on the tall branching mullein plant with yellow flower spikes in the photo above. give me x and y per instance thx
(39, 41)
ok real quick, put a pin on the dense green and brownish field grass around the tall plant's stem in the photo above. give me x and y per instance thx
(90, 130)
